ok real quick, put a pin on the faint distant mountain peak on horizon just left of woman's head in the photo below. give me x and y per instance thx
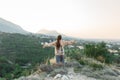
(50, 32)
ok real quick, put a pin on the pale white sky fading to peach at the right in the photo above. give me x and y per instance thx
(78, 18)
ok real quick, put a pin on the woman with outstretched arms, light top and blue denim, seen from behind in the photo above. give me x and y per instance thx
(59, 48)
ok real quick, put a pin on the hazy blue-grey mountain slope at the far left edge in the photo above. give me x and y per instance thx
(9, 27)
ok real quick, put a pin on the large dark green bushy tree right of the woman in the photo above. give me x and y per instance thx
(97, 50)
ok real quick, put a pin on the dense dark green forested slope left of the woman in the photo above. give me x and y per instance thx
(20, 53)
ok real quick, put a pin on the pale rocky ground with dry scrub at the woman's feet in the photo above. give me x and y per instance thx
(68, 72)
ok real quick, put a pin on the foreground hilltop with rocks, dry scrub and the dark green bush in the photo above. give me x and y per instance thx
(80, 65)
